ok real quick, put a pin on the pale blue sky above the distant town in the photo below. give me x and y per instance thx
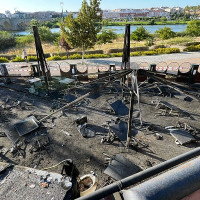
(74, 5)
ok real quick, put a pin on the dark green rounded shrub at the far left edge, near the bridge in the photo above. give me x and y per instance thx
(6, 40)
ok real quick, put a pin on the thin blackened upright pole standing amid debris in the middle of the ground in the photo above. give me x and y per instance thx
(130, 119)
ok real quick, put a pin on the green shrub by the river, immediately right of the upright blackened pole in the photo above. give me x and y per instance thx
(140, 34)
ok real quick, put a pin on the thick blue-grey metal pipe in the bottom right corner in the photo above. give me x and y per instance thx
(174, 184)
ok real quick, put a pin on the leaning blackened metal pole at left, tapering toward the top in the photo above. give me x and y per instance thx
(40, 55)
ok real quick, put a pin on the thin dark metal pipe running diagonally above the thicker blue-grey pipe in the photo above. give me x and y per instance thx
(131, 180)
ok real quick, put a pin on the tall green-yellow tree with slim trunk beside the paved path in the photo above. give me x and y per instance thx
(81, 32)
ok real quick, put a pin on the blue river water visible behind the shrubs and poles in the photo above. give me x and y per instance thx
(121, 29)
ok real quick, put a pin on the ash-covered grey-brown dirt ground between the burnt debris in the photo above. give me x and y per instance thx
(59, 138)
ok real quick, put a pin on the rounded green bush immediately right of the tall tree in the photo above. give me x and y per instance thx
(106, 37)
